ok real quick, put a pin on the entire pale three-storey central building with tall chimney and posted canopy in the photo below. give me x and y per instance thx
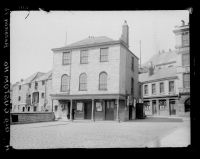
(93, 78)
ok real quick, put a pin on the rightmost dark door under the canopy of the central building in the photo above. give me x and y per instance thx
(109, 110)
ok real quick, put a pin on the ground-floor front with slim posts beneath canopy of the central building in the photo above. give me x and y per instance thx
(91, 107)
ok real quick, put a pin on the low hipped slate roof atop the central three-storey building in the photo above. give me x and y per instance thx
(88, 41)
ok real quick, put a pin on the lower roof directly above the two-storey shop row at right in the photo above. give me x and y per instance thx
(169, 72)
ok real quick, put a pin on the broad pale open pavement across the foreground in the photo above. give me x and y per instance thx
(150, 132)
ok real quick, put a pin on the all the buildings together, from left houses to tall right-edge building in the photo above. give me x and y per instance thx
(98, 78)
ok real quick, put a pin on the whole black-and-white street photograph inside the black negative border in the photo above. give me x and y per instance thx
(100, 79)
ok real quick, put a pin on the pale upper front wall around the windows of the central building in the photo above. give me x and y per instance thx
(92, 69)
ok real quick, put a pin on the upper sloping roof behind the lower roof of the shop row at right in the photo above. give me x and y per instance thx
(162, 57)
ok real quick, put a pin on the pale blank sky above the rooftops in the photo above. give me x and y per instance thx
(33, 34)
